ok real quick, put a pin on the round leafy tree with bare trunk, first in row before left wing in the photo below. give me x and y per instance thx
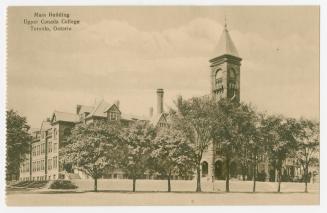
(93, 148)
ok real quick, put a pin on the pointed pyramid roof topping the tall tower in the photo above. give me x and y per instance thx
(226, 45)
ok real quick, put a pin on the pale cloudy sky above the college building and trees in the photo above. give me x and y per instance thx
(126, 53)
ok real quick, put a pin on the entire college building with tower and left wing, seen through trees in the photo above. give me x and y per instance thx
(42, 163)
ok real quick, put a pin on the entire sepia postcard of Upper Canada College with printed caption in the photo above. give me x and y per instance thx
(162, 105)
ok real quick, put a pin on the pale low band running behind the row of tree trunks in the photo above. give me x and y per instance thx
(190, 185)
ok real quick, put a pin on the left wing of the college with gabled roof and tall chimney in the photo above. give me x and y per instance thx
(42, 163)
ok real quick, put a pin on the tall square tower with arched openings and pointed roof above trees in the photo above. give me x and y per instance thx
(225, 69)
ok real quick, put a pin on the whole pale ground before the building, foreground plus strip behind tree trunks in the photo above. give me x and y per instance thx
(152, 192)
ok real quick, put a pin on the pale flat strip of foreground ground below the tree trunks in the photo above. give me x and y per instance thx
(161, 198)
